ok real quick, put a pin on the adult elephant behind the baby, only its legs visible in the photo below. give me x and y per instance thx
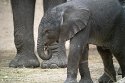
(23, 15)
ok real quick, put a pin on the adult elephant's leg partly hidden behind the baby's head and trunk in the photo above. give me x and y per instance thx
(59, 58)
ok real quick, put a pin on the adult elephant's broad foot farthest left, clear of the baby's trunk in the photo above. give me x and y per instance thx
(25, 60)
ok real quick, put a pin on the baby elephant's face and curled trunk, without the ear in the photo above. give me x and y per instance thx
(48, 33)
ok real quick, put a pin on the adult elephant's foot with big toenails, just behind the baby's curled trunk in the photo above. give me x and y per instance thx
(55, 62)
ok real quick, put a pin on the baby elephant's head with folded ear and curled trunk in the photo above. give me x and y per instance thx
(58, 25)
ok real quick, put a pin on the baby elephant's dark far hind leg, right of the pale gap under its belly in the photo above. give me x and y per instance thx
(109, 75)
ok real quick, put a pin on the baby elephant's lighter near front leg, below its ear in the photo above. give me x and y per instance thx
(77, 45)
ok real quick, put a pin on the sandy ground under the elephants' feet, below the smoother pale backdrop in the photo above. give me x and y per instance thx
(38, 75)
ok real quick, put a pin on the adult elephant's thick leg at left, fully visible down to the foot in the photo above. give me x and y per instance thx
(23, 15)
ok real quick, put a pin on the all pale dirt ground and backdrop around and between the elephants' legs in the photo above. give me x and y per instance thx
(37, 75)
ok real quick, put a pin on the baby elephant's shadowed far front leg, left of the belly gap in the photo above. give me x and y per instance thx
(83, 67)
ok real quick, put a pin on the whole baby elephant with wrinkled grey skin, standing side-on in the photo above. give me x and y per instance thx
(88, 22)
